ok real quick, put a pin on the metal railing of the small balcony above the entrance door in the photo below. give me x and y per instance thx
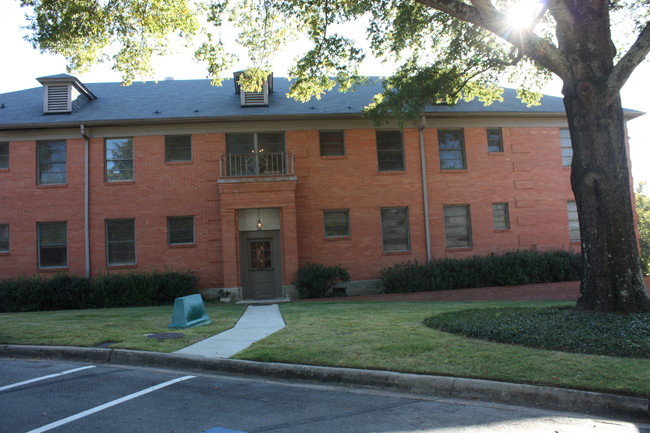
(261, 164)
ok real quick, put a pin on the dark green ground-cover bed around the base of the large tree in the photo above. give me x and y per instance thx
(557, 328)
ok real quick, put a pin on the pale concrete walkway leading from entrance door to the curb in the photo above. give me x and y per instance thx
(257, 322)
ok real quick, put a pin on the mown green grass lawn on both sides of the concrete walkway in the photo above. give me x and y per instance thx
(374, 335)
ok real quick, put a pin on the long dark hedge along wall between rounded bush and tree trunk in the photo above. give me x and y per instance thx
(510, 269)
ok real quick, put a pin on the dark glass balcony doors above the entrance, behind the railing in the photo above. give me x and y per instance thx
(255, 154)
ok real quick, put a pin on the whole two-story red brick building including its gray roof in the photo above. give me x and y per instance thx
(244, 188)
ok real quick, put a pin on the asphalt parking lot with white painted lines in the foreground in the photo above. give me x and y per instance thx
(42, 396)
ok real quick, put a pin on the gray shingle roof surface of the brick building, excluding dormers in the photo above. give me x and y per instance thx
(180, 100)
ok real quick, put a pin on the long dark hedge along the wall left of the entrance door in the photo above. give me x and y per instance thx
(69, 292)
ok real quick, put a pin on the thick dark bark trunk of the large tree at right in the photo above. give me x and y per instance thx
(613, 280)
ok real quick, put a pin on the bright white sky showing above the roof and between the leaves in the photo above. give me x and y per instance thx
(22, 64)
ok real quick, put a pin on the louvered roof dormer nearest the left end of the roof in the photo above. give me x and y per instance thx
(63, 94)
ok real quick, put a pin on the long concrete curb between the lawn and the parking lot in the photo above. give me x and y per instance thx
(600, 404)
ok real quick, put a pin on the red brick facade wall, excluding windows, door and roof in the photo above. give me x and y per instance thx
(528, 175)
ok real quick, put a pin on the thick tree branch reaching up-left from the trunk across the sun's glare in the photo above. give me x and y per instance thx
(483, 14)
